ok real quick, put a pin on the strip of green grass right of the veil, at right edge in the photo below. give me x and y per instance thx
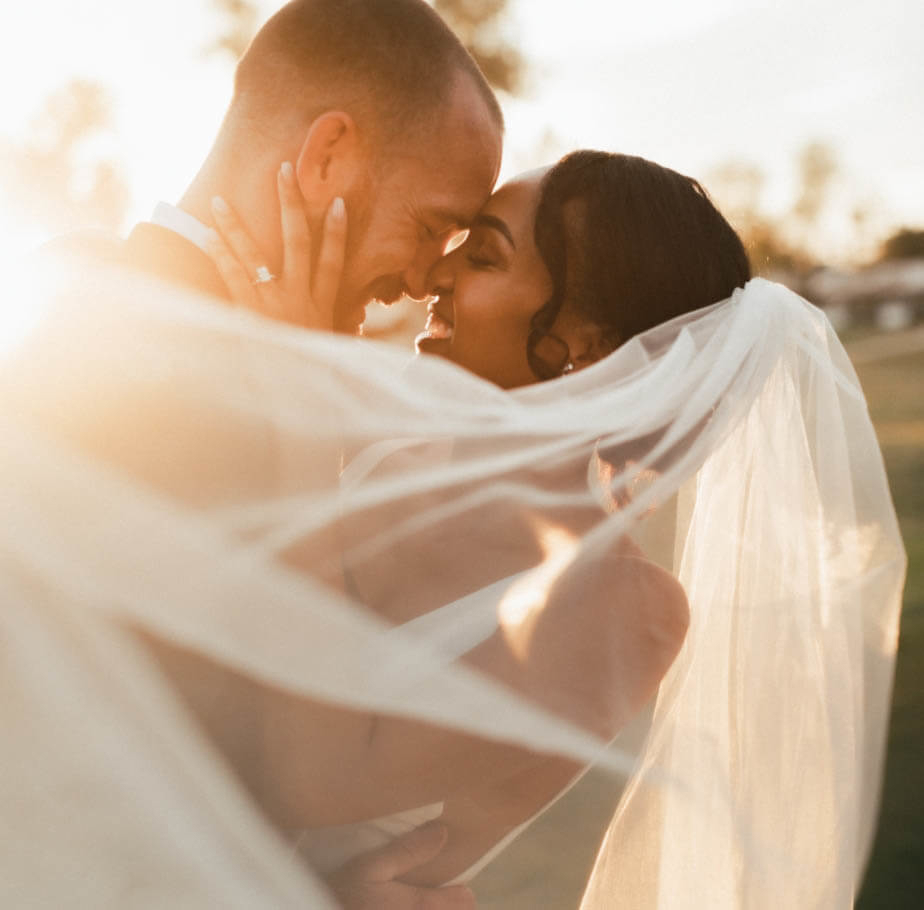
(895, 879)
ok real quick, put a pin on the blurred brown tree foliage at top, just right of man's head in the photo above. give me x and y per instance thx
(478, 25)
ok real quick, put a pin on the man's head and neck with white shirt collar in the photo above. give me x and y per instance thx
(372, 101)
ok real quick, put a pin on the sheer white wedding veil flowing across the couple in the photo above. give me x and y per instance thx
(320, 516)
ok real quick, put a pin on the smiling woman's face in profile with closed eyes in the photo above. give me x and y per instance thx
(489, 289)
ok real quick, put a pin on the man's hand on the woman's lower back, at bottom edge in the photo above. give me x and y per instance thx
(371, 881)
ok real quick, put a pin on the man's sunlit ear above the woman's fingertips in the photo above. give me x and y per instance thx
(330, 161)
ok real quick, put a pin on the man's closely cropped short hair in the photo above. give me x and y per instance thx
(391, 62)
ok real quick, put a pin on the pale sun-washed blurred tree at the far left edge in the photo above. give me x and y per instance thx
(60, 174)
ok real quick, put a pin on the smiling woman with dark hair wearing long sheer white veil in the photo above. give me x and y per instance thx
(728, 439)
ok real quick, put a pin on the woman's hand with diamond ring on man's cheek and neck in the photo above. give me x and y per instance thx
(300, 295)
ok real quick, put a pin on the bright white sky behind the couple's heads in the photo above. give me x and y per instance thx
(689, 83)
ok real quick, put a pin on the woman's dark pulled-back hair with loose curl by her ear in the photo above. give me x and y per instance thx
(629, 245)
